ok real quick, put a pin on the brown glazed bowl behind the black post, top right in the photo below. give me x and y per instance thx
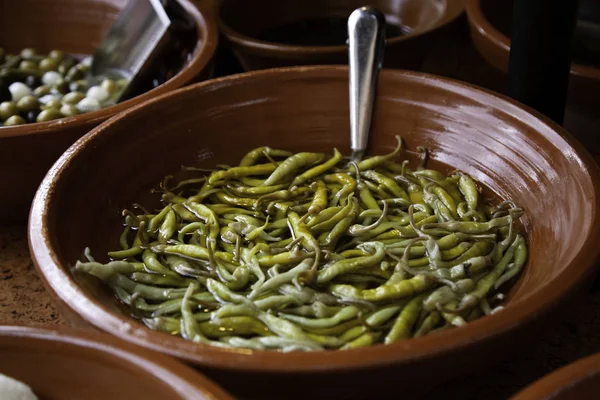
(490, 25)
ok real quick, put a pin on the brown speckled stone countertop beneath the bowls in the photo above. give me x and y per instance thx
(24, 300)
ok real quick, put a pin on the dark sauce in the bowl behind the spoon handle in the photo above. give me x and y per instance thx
(324, 31)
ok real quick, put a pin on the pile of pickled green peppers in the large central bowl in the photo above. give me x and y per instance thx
(309, 252)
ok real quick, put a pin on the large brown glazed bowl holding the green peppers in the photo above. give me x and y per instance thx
(517, 153)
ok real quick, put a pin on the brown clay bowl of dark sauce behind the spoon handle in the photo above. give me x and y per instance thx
(243, 23)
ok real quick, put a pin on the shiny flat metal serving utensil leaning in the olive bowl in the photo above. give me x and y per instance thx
(142, 32)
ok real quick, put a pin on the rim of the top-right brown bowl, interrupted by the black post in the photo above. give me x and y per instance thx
(497, 39)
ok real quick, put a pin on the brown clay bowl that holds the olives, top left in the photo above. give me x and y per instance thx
(74, 26)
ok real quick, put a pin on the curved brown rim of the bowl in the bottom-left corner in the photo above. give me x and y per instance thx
(178, 376)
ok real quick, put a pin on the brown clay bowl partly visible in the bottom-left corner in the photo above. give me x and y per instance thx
(67, 364)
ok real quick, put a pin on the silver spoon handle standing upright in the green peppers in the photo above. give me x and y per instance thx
(366, 40)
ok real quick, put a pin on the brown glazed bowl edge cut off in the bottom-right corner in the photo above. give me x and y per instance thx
(579, 380)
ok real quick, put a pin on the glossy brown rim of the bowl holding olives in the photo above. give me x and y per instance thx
(206, 29)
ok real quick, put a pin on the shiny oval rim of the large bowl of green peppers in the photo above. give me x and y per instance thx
(63, 287)
